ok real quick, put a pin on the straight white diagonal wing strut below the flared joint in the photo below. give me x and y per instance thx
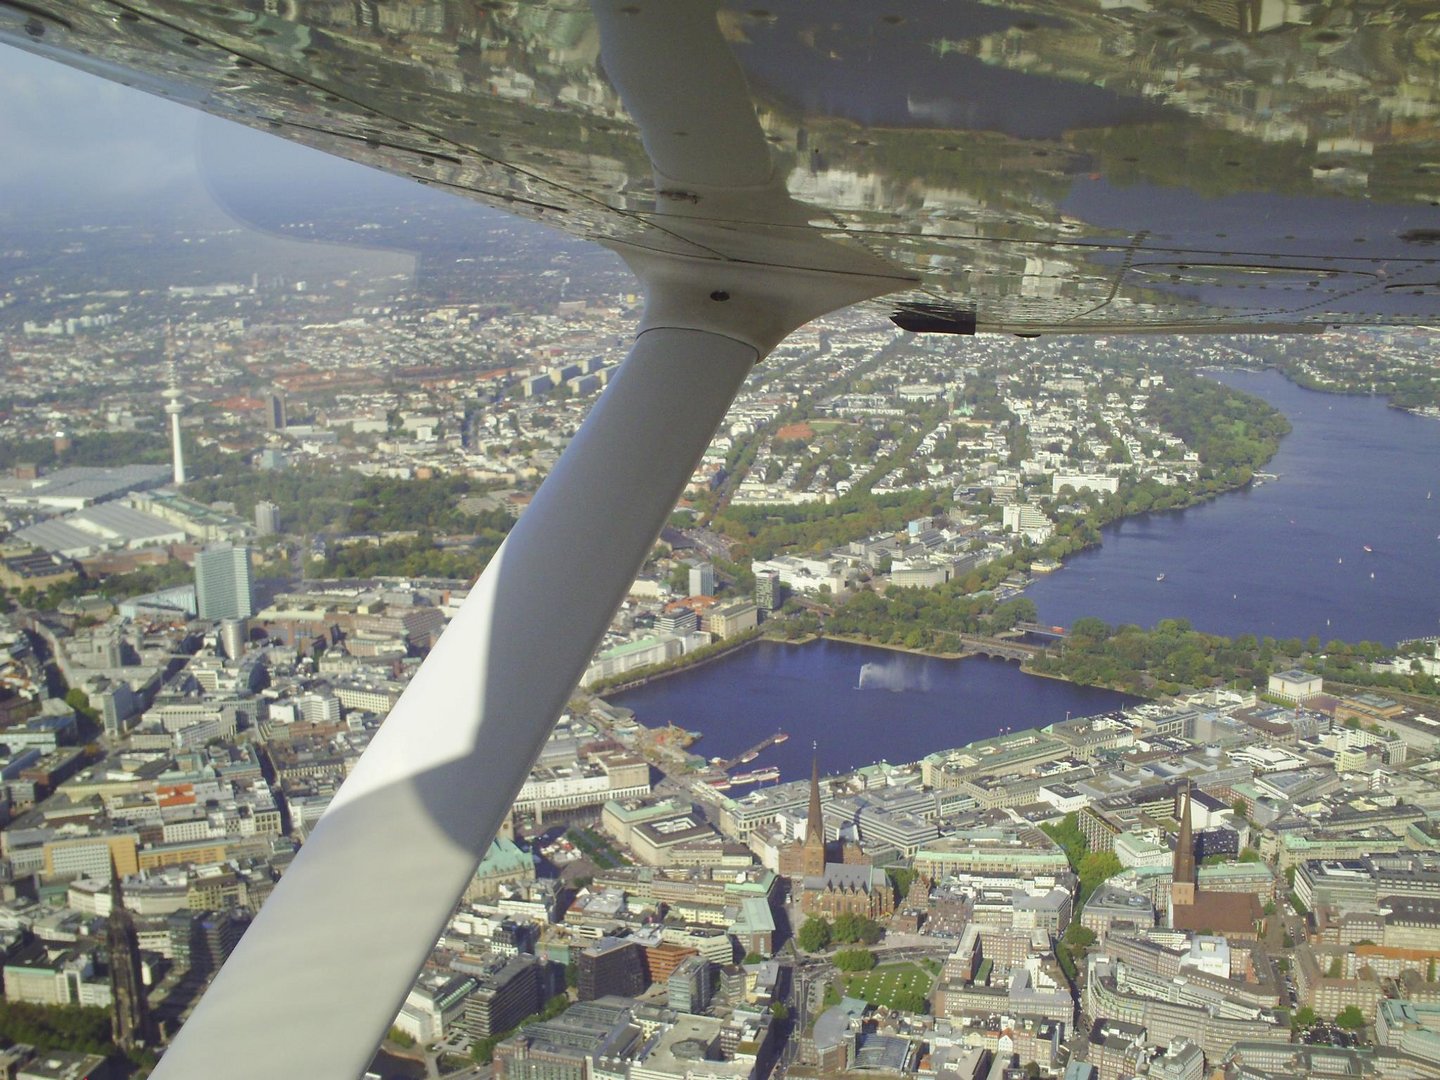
(322, 974)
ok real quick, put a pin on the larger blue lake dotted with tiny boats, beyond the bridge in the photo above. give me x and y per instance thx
(1287, 558)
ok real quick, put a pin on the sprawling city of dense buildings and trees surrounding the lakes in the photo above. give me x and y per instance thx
(212, 610)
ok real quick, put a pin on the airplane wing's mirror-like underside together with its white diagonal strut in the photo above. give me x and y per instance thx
(1040, 168)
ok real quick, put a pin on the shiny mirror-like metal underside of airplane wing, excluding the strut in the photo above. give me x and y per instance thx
(1039, 168)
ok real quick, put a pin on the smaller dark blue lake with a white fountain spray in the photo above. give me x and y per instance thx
(908, 708)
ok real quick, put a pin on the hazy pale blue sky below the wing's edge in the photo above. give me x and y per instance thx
(70, 136)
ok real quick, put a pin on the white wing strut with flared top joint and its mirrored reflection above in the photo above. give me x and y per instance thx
(323, 971)
